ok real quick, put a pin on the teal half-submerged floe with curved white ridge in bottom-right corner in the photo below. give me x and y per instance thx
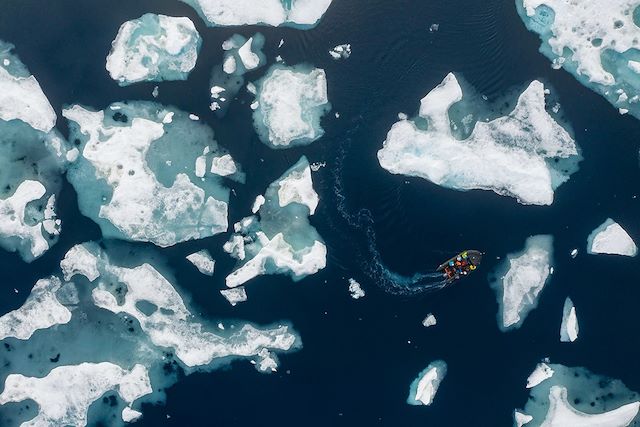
(576, 397)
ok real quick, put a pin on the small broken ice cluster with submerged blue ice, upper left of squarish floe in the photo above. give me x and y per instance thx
(241, 55)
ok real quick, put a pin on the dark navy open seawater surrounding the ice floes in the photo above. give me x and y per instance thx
(359, 357)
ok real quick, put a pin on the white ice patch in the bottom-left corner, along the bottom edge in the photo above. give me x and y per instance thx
(65, 394)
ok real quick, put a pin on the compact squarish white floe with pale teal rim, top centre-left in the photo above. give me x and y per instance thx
(290, 103)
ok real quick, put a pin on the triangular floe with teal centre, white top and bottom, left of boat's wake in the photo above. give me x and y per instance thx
(279, 239)
